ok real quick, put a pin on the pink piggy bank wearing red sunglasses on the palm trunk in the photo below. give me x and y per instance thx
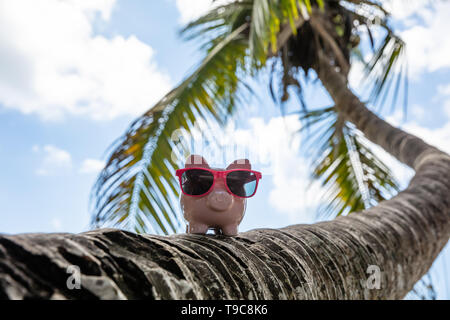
(215, 198)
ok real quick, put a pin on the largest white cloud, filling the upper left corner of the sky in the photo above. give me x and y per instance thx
(52, 64)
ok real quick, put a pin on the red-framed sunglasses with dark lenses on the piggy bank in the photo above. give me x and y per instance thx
(196, 182)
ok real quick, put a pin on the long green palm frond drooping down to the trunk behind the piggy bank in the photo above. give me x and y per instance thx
(137, 188)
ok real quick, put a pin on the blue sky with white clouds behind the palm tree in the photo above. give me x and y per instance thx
(62, 104)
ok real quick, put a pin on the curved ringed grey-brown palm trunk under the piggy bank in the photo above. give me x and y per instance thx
(338, 259)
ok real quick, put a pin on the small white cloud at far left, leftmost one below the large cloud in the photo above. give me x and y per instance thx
(54, 160)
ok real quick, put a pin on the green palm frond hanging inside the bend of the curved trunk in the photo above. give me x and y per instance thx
(353, 176)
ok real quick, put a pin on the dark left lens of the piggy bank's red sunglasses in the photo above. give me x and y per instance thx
(196, 182)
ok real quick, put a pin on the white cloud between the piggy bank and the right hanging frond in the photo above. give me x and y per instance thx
(277, 146)
